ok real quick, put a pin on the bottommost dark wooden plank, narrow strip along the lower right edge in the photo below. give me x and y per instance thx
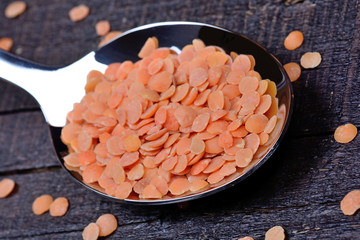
(319, 224)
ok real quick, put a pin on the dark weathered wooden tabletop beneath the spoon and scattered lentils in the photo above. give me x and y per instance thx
(300, 188)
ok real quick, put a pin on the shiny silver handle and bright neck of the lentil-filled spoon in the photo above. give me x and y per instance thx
(55, 89)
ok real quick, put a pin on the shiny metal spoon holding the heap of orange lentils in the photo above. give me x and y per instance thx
(57, 89)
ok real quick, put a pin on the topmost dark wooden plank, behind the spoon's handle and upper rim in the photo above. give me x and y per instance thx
(328, 27)
